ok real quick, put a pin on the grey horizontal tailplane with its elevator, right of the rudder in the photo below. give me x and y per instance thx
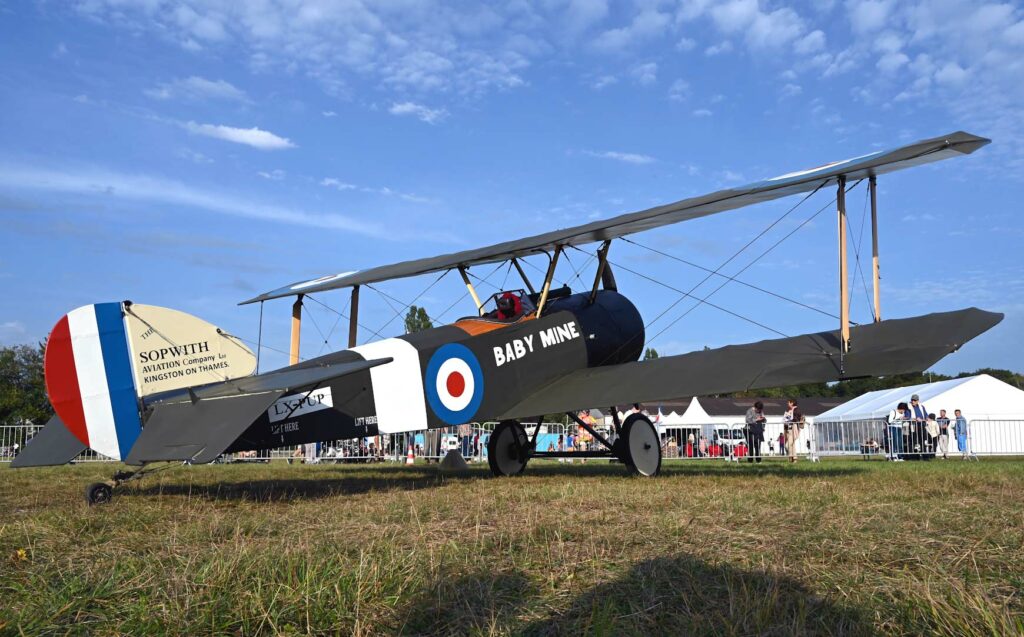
(201, 426)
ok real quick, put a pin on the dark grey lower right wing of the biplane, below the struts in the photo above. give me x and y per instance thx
(898, 347)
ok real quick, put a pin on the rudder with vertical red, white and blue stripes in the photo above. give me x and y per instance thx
(90, 379)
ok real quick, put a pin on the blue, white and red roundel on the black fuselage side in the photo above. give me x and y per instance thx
(455, 384)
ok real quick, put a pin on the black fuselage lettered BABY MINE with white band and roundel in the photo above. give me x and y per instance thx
(472, 371)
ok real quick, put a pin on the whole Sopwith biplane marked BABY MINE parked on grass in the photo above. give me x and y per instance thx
(147, 386)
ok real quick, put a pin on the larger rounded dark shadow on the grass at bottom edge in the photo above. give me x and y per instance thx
(686, 597)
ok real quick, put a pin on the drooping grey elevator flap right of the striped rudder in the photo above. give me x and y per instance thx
(198, 433)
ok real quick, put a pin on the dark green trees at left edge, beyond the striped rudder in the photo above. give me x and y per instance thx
(23, 389)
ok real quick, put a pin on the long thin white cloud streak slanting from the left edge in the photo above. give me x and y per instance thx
(117, 186)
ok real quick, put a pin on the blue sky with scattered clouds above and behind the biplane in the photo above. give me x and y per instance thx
(195, 154)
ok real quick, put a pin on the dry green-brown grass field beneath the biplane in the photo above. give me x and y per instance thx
(843, 547)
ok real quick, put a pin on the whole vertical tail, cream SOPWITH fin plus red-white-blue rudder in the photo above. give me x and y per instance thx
(102, 360)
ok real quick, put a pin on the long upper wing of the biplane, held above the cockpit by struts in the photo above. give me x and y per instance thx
(882, 162)
